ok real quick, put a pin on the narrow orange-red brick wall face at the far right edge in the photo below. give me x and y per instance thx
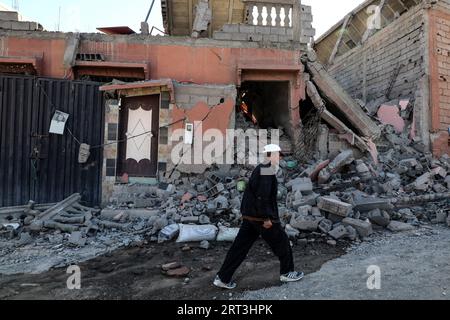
(439, 53)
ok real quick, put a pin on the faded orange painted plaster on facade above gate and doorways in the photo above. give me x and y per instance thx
(183, 63)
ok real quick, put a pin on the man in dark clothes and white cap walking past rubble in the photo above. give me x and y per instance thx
(260, 218)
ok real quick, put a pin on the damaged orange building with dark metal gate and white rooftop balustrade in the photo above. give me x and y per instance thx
(153, 84)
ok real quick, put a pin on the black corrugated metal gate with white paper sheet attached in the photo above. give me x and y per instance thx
(40, 166)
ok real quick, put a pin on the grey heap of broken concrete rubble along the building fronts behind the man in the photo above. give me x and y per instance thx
(344, 198)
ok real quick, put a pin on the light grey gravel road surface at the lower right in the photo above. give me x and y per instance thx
(414, 265)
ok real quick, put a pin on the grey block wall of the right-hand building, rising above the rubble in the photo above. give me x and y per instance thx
(392, 64)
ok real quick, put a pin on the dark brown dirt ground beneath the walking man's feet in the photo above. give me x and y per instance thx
(136, 274)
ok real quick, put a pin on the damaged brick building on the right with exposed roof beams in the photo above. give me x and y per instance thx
(392, 55)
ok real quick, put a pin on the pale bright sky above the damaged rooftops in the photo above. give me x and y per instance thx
(87, 15)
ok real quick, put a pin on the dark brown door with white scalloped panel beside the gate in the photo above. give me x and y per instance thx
(139, 128)
